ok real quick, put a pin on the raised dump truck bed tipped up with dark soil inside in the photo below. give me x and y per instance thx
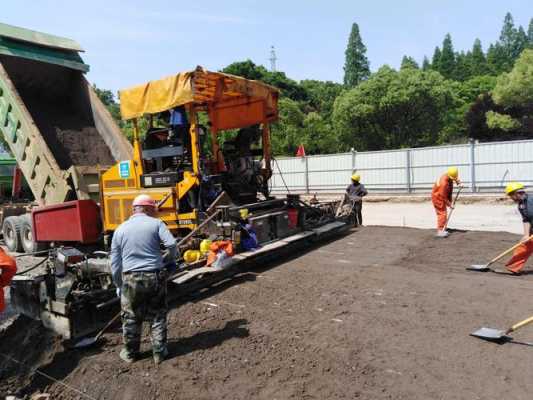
(52, 120)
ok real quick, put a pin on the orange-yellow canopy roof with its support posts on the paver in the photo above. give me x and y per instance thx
(230, 101)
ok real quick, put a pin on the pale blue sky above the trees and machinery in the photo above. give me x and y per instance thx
(127, 45)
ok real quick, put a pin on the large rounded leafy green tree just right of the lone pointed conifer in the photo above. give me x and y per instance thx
(394, 109)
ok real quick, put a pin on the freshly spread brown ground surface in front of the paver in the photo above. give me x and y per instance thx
(382, 313)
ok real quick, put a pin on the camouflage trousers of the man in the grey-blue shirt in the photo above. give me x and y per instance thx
(144, 298)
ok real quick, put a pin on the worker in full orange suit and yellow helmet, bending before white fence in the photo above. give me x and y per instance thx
(441, 196)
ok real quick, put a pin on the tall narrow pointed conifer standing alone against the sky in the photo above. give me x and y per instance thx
(356, 66)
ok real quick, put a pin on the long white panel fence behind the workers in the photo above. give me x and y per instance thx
(483, 167)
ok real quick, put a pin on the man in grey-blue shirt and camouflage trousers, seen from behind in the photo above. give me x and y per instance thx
(139, 273)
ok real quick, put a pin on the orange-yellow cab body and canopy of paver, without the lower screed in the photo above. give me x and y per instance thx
(180, 164)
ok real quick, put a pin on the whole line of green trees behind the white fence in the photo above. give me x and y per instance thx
(454, 97)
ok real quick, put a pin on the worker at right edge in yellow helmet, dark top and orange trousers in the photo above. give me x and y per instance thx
(516, 191)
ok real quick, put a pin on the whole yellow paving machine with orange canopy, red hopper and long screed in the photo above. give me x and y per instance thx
(201, 149)
